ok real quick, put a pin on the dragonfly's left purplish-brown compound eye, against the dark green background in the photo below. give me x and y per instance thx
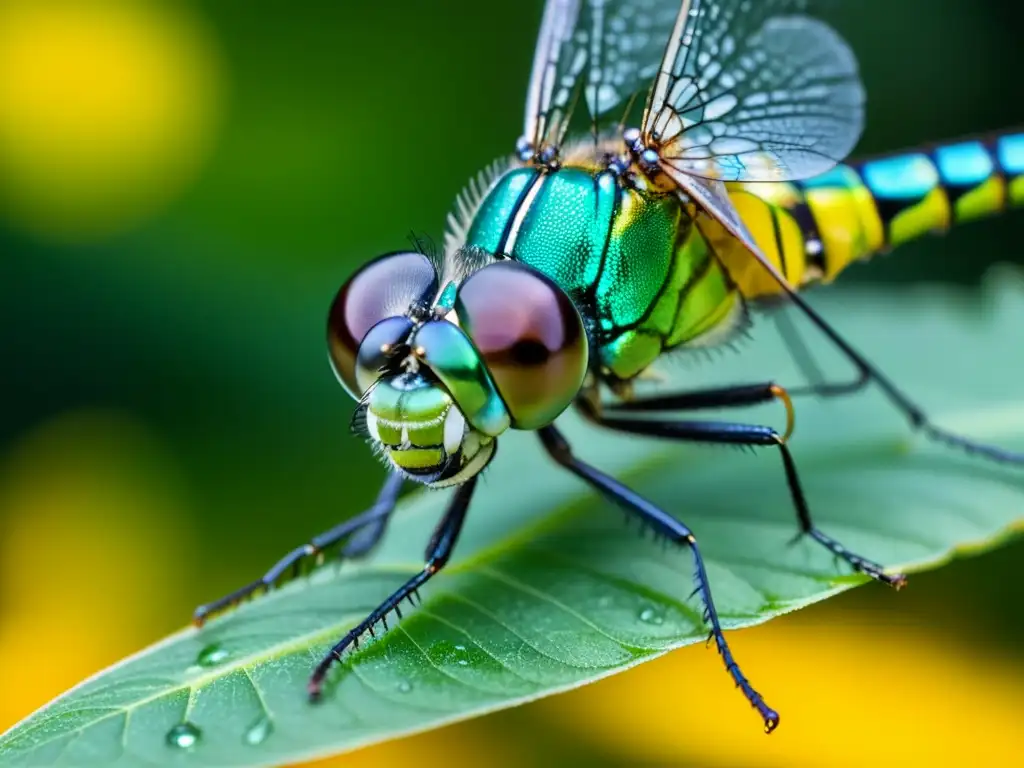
(388, 287)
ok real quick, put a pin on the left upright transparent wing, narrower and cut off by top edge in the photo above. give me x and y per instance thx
(602, 52)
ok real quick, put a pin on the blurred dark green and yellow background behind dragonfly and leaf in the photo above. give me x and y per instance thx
(183, 188)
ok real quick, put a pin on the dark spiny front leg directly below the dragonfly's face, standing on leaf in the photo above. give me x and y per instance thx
(439, 551)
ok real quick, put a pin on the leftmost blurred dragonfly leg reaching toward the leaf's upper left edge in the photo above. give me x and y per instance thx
(362, 532)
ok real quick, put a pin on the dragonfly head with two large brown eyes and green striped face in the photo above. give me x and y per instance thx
(442, 368)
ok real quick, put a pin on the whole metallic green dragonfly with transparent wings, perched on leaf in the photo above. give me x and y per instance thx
(615, 235)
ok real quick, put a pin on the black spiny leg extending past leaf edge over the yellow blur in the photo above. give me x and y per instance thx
(674, 531)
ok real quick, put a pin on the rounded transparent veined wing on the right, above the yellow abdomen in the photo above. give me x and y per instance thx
(752, 91)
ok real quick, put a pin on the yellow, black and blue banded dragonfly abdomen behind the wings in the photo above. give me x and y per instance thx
(814, 230)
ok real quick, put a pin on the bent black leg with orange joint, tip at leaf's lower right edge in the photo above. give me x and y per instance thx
(736, 435)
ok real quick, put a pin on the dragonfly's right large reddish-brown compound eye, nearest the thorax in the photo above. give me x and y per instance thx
(531, 337)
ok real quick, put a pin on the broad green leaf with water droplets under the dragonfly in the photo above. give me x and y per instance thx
(548, 590)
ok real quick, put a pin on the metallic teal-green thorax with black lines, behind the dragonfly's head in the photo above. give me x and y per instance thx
(643, 277)
